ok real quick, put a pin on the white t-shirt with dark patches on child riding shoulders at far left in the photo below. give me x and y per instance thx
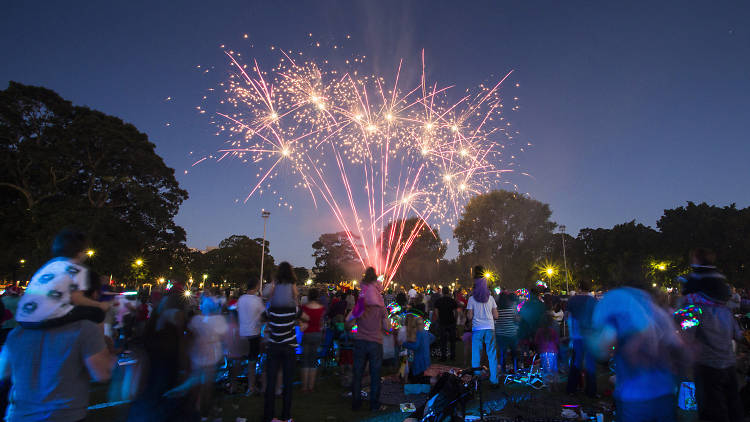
(48, 293)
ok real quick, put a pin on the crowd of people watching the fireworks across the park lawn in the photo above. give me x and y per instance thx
(165, 347)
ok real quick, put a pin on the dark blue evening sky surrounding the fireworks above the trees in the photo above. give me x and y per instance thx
(632, 107)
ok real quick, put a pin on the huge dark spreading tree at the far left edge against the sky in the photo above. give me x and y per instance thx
(64, 165)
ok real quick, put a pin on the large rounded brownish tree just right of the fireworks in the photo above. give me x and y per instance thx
(506, 232)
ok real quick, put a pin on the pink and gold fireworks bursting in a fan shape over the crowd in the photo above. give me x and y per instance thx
(374, 155)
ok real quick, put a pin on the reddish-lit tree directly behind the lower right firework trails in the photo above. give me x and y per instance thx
(421, 261)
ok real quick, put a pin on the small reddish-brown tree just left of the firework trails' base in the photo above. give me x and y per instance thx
(336, 258)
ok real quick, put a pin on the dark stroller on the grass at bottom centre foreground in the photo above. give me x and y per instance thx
(449, 397)
